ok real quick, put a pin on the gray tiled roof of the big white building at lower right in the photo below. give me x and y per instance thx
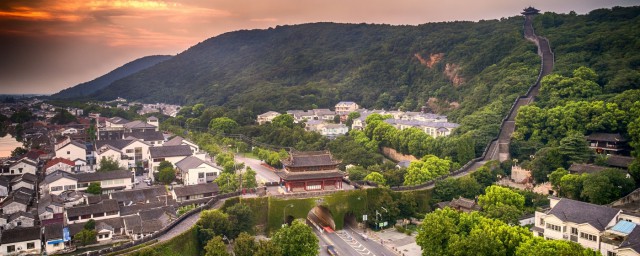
(574, 211)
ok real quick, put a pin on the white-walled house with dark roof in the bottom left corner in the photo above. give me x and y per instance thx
(20, 241)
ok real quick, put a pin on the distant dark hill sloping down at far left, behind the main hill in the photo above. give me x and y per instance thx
(87, 88)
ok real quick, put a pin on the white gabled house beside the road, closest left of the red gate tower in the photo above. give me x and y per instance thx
(194, 170)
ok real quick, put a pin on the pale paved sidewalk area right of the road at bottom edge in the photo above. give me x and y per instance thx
(400, 243)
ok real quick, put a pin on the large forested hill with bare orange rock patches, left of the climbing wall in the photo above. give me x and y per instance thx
(319, 64)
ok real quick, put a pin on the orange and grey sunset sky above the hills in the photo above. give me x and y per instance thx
(50, 45)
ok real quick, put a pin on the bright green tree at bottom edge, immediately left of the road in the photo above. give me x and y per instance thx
(296, 240)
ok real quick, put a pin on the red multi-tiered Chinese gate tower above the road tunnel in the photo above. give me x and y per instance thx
(307, 171)
